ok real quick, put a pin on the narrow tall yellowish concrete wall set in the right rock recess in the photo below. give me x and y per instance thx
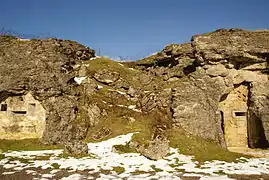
(235, 109)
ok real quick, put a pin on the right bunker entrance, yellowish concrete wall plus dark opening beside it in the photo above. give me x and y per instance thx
(240, 128)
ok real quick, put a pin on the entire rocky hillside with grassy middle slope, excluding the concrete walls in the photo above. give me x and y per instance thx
(171, 97)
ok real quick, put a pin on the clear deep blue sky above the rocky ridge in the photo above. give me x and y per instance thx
(134, 28)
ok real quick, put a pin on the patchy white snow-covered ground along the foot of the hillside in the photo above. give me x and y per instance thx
(105, 163)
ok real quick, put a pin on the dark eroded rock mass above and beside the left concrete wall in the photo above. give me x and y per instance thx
(44, 68)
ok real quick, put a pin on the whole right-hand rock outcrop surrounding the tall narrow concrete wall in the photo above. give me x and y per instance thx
(211, 66)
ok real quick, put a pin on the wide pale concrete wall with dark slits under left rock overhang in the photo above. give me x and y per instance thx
(24, 118)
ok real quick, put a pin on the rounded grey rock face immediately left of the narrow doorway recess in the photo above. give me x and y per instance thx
(195, 106)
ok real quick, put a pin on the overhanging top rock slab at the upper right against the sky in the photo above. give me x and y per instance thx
(239, 47)
